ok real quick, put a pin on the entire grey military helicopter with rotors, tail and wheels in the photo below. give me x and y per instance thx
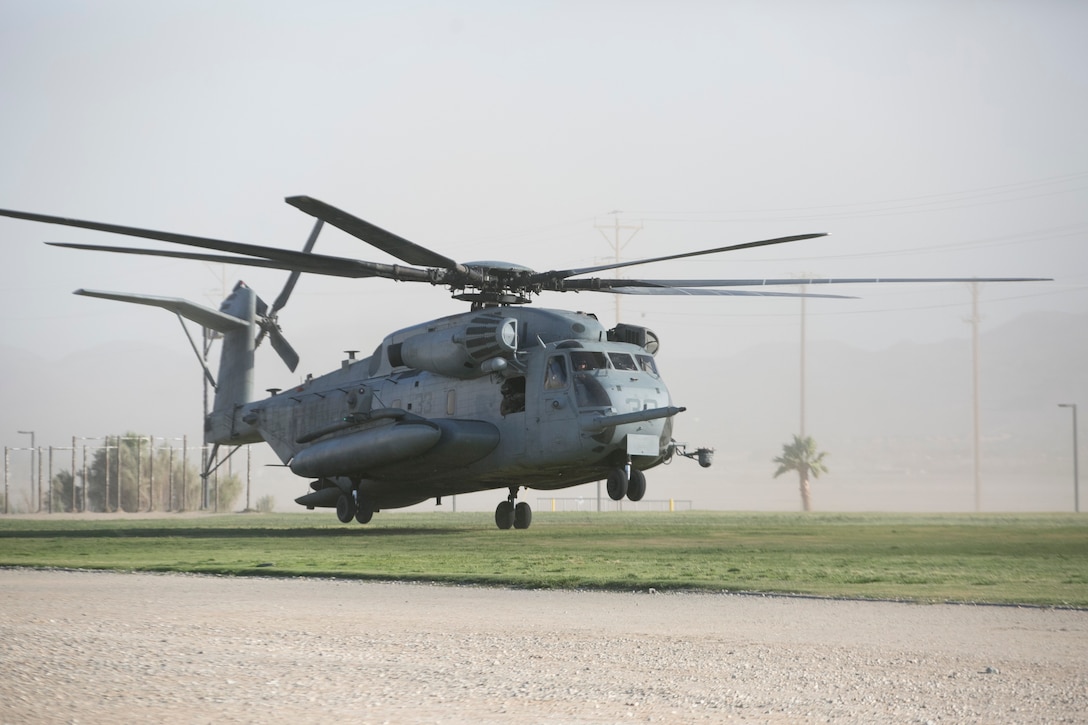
(505, 396)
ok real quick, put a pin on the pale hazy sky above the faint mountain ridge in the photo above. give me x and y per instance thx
(928, 139)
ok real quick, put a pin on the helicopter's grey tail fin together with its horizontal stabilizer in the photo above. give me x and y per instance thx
(237, 320)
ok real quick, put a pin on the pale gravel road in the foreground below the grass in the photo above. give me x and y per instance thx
(82, 647)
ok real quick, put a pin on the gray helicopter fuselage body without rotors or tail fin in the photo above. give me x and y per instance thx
(500, 398)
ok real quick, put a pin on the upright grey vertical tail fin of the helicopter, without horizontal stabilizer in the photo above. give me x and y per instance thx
(236, 380)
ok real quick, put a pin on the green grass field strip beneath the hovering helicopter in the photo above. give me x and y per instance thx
(1033, 559)
